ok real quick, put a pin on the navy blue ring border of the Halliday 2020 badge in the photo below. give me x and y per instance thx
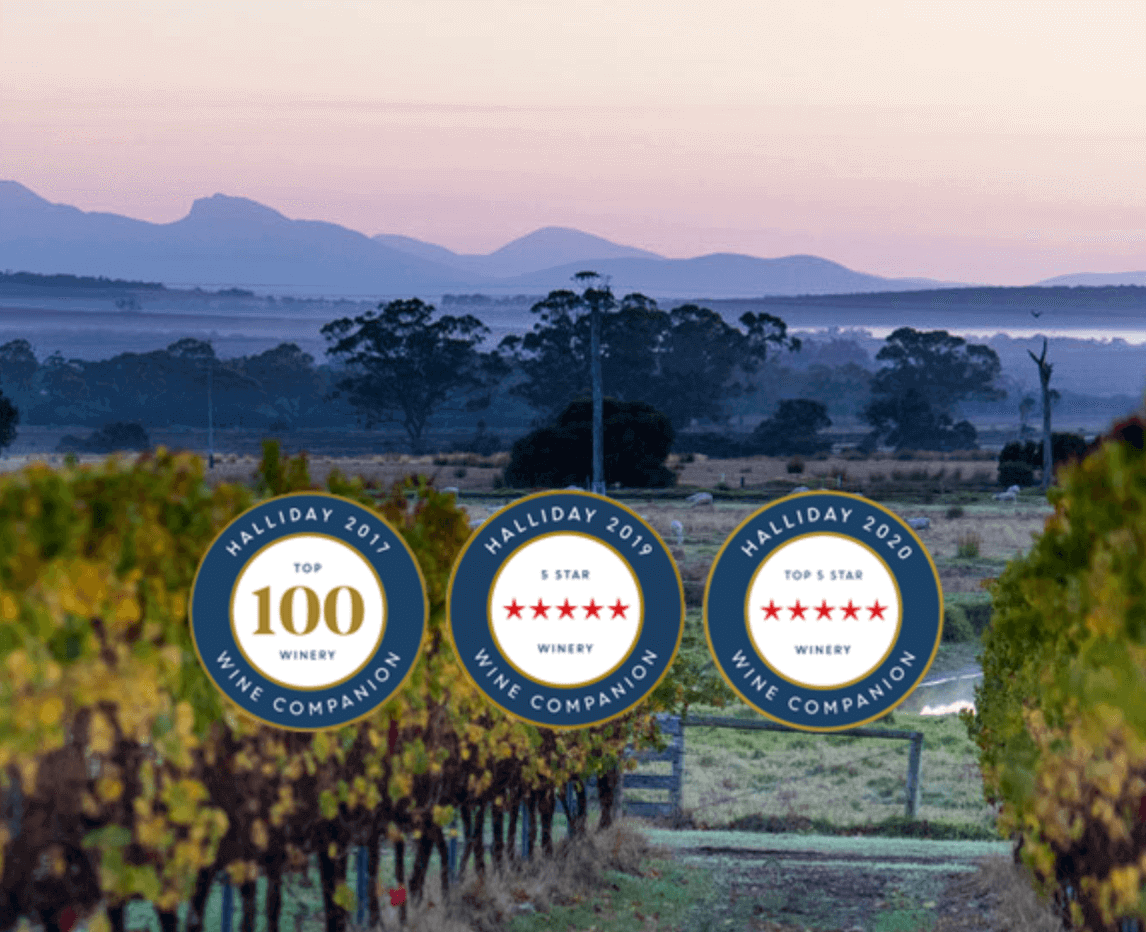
(727, 631)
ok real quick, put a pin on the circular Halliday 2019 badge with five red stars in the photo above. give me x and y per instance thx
(566, 609)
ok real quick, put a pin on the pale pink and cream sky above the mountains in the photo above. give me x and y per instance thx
(993, 143)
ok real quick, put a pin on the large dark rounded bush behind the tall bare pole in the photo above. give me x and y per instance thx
(638, 440)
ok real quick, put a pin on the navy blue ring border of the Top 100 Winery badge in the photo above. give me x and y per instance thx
(406, 617)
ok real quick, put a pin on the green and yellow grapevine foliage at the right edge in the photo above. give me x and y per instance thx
(1061, 722)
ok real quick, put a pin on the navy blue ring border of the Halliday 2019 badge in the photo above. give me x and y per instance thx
(469, 626)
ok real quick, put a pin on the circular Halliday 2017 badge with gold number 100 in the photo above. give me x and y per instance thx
(308, 612)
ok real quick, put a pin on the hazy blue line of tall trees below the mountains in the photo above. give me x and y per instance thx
(406, 364)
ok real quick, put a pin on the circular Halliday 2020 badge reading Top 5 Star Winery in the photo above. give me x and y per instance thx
(823, 612)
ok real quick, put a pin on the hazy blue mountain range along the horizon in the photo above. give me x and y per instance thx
(226, 242)
